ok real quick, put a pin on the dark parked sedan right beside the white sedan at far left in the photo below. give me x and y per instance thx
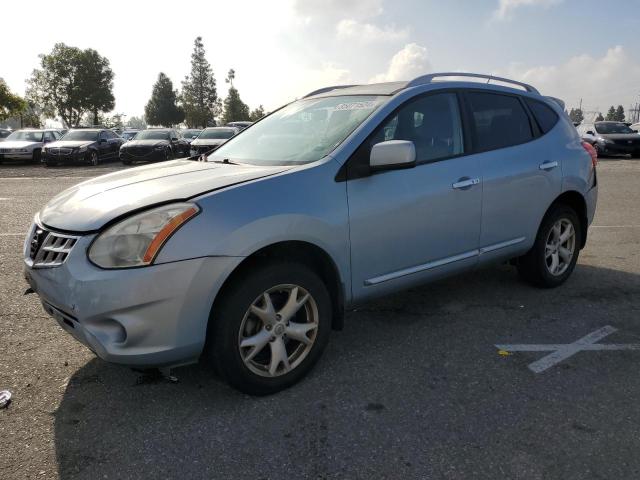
(87, 145)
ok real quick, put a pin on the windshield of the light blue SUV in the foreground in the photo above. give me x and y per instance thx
(302, 132)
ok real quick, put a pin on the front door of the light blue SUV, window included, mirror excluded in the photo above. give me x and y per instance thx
(414, 224)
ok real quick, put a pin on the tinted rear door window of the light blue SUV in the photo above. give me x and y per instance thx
(499, 120)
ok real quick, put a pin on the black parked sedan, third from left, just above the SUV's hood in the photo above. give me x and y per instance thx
(154, 144)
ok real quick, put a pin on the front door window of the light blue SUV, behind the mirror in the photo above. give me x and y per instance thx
(432, 123)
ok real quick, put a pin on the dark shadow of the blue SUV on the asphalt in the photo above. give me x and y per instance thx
(411, 386)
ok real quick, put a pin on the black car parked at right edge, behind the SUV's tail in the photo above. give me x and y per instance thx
(611, 138)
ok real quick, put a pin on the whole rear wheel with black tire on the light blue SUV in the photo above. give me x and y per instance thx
(549, 252)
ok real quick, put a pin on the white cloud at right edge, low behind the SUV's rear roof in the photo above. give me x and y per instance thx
(612, 79)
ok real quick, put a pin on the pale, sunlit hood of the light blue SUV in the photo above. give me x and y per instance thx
(90, 205)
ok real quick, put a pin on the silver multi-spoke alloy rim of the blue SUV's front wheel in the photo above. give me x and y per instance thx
(278, 330)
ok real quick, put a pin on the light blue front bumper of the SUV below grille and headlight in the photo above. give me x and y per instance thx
(151, 317)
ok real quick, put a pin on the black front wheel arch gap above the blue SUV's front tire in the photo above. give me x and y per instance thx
(305, 253)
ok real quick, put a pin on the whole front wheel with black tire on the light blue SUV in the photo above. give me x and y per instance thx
(233, 322)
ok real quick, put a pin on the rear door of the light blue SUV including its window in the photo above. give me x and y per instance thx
(521, 169)
